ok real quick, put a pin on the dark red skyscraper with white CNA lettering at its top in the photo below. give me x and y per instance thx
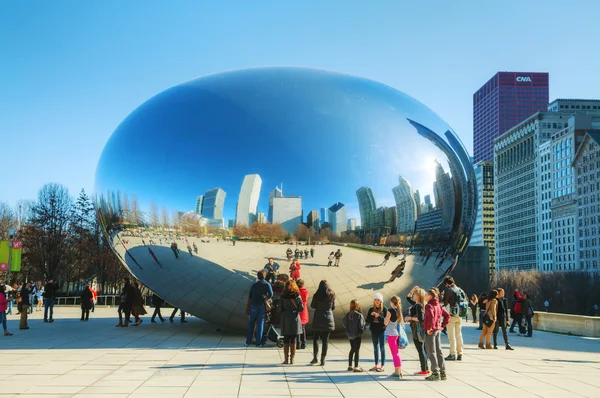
(504, 101)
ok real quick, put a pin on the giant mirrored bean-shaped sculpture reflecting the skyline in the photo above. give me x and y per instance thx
(204, 182)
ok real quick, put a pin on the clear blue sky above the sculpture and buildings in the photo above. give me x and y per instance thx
(71, 71)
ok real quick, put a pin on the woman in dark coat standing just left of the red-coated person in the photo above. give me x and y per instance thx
(291, 324)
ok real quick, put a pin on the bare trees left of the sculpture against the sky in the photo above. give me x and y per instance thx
(62, 240)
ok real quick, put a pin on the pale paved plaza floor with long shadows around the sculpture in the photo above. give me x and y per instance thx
(69, 358)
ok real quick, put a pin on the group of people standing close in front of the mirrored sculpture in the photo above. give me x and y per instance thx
(427, 317)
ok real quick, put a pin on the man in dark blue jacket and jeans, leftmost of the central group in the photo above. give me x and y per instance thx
(260, 291)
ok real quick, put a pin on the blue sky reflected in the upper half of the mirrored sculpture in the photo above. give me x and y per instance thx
(320, 134)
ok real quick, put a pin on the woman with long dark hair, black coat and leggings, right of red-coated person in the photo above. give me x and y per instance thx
(323, 302)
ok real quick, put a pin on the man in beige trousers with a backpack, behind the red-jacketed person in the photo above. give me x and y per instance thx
(453, 298)
